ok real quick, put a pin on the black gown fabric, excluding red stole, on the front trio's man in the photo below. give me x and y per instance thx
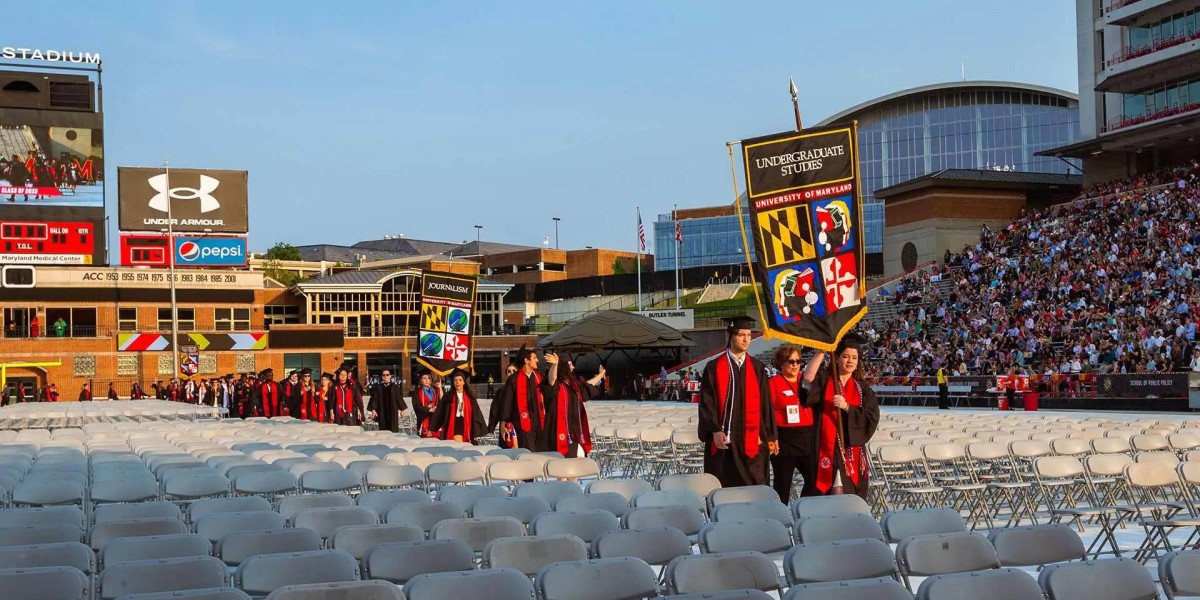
(734, 466)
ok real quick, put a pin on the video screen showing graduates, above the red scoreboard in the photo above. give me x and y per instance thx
(51, 166)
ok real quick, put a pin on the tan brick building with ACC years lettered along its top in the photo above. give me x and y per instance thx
(113, 325)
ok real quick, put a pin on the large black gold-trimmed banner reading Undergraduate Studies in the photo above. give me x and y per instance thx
(807, 218)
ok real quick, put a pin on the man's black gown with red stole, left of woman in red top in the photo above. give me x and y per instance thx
(746, 461)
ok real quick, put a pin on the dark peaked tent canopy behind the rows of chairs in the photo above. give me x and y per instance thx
(615, 331)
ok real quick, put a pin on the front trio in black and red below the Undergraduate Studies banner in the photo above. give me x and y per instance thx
(817, 422)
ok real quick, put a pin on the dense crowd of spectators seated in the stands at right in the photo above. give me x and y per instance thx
(1103, 285)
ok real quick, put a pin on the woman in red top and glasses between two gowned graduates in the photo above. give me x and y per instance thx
(794, 421)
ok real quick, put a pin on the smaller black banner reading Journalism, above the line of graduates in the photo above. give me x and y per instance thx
(448, 308)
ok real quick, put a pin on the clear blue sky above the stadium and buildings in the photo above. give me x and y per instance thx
(362, 119)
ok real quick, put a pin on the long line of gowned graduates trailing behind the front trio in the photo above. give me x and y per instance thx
(537, 411)
